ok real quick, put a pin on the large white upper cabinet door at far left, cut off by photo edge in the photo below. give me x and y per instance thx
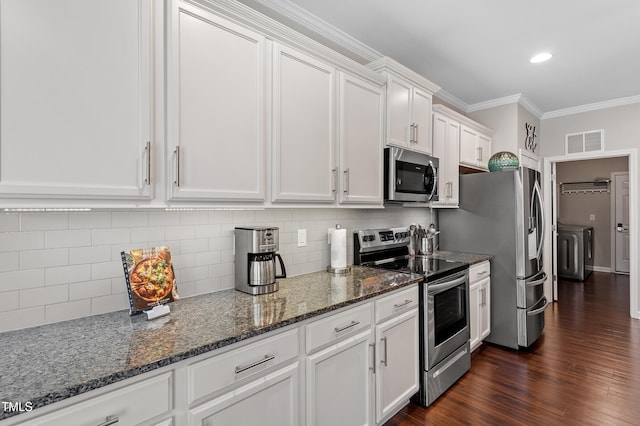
(76, 101)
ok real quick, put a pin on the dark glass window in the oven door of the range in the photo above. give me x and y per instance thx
(450, 313)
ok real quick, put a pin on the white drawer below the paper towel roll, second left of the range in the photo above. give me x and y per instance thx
(337, 326)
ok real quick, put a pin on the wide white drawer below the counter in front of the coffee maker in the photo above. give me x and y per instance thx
(218, 372)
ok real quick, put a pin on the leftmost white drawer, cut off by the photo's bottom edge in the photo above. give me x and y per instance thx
(131, 405)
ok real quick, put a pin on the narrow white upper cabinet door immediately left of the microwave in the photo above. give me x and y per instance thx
(361, 124)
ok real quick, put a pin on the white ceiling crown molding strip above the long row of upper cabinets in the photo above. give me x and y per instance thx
(311, 22)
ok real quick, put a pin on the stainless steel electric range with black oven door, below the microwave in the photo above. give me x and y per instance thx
(444, 305)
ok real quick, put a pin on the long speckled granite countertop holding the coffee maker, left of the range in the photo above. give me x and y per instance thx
(49, 363)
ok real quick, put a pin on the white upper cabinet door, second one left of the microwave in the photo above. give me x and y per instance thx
(303, 122)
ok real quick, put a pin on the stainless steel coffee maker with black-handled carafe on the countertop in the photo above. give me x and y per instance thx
(256, 256)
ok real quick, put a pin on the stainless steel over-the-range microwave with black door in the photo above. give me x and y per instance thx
(410, 176)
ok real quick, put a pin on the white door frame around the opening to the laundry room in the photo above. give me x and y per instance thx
(549, 261)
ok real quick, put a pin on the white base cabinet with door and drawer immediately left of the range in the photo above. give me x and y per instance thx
(397, 355)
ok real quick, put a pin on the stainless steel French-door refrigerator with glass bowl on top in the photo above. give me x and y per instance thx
(501, 214)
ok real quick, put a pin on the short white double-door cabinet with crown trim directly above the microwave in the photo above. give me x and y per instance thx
(409, 97)
